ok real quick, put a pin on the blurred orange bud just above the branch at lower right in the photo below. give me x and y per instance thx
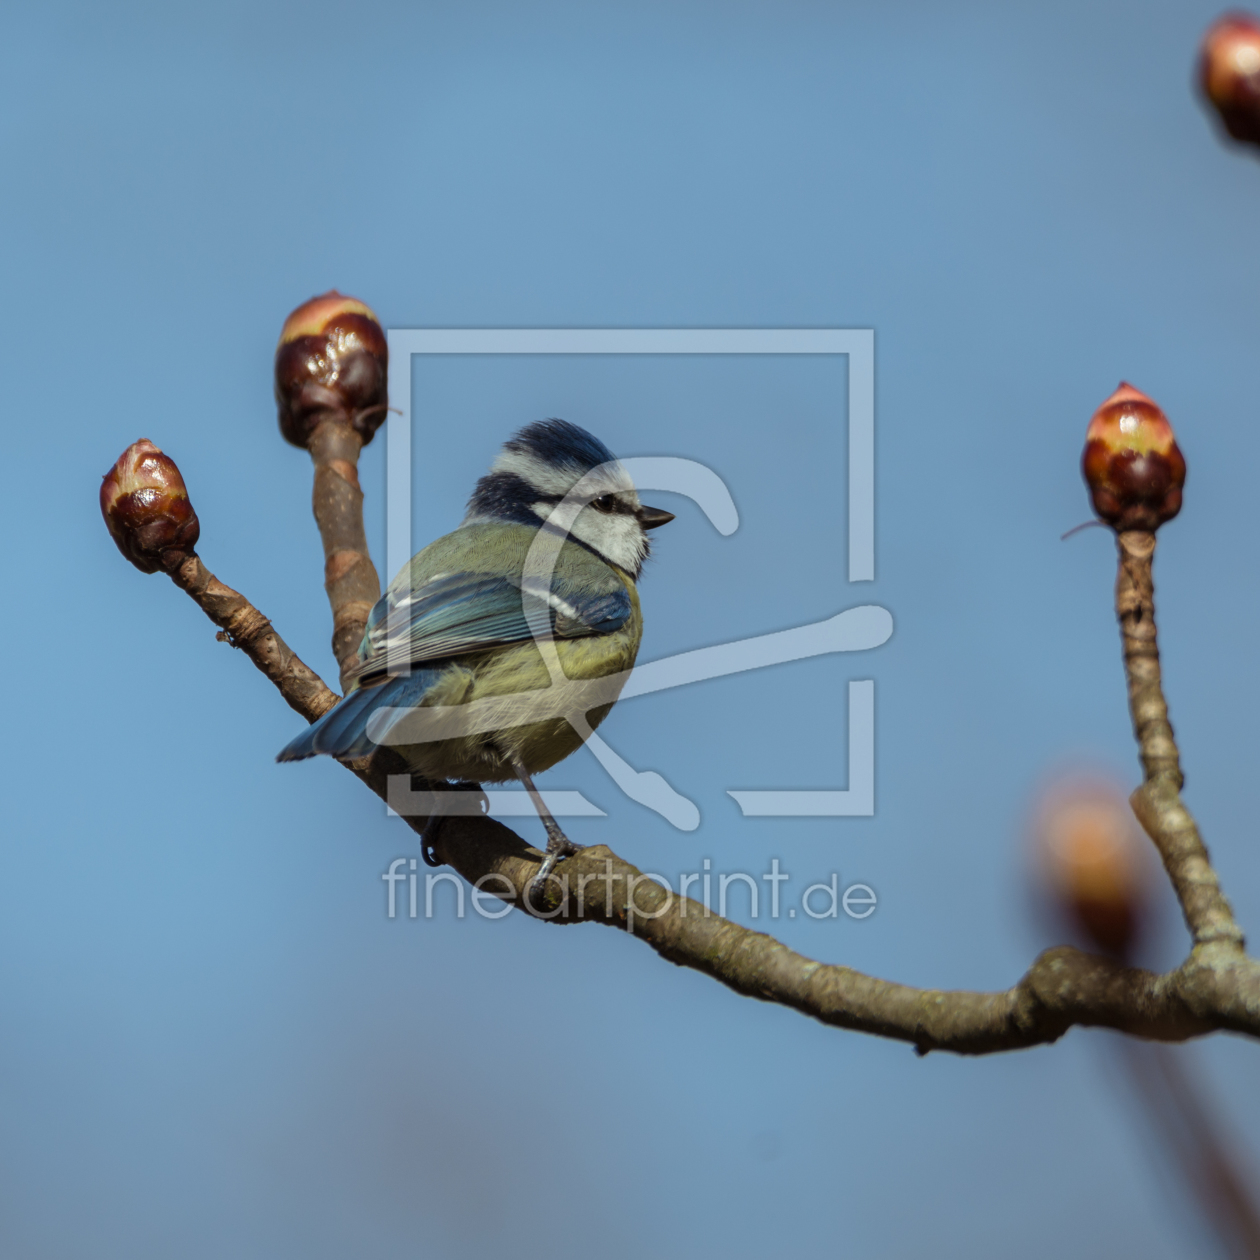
(1094, 860)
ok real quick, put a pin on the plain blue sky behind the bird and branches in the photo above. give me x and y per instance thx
(214, 1040)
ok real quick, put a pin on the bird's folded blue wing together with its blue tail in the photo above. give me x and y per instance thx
(452, 616)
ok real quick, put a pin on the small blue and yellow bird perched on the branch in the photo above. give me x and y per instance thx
(477, 618)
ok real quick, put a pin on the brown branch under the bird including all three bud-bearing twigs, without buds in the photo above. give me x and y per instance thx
(1217, 988)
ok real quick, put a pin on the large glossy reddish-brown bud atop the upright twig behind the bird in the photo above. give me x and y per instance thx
(332, 361)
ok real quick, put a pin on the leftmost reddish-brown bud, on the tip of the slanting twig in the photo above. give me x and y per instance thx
(147, 510)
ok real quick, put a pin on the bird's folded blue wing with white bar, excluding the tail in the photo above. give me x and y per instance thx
(458, 614)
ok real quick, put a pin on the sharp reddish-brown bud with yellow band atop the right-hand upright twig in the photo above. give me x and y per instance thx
(1132, 463)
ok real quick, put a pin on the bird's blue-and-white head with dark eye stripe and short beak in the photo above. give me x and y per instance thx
(537, 469)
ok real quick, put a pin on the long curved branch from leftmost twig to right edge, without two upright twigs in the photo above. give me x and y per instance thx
(1064, 987)
